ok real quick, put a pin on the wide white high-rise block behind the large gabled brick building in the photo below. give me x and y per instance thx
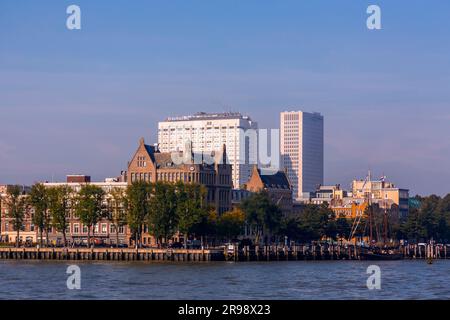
(209, 132)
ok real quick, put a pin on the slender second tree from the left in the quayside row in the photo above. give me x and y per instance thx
(38, 199)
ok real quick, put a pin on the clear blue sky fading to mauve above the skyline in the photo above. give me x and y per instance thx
(78, 101)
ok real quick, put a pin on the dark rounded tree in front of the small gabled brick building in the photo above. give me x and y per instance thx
(261, 214)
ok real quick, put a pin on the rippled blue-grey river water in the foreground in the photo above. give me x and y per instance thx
(222, 280)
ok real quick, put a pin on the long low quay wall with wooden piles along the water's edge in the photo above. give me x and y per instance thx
(229, 253)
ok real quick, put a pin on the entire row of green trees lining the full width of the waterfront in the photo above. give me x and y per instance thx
(163, 209)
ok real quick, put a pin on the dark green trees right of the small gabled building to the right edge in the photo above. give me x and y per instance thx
(428, 219)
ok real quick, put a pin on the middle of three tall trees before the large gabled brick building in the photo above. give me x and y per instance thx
(162, 217)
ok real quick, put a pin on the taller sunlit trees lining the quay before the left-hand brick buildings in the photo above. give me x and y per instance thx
(162, 209)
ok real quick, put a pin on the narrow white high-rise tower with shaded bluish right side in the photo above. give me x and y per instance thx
(302, 148)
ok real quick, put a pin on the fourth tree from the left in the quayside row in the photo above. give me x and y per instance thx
(89, 206)
